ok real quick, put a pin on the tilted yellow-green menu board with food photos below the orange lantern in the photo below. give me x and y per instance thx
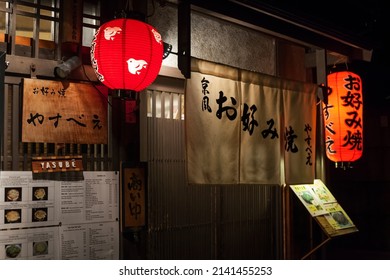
(322, 205)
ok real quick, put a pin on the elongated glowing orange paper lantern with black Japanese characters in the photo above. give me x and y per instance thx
(343, 117)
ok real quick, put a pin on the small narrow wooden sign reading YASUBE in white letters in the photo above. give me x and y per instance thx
(57, 164)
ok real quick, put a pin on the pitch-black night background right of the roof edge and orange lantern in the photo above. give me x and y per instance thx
(363, 191)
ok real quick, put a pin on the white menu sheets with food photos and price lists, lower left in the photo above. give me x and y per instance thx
(45, 219)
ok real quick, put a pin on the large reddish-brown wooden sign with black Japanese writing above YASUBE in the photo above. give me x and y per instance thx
(57, 112)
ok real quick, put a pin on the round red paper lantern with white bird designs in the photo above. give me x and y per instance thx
(127, 54)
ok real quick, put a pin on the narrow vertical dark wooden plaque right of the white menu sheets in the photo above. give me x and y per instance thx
(133, 196)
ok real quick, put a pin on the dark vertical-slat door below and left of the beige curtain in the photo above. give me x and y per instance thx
(202, 222)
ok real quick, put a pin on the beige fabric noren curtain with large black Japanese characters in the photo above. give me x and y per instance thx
(244, 127)
